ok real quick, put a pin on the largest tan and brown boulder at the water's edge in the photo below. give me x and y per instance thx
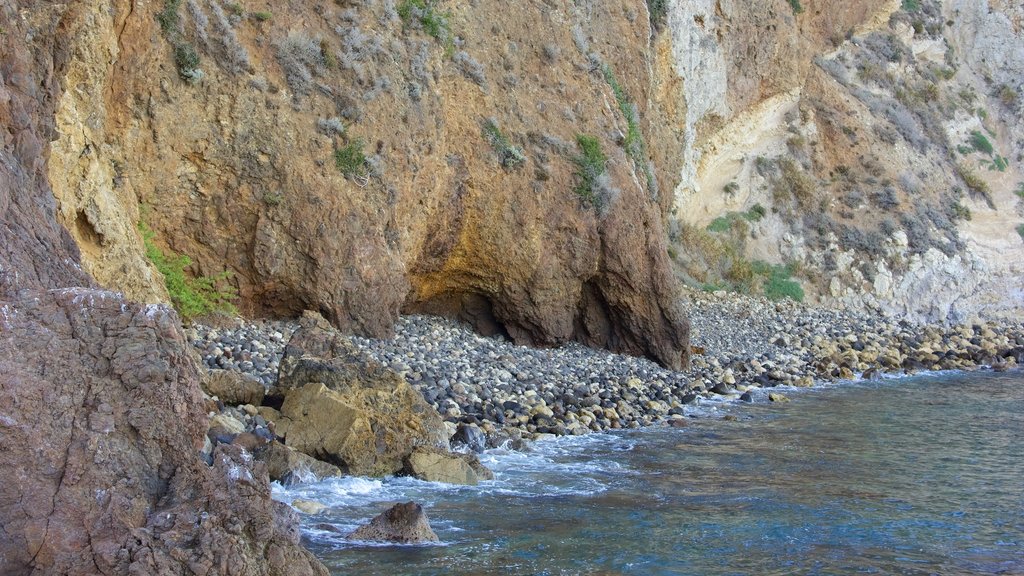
(348, 409)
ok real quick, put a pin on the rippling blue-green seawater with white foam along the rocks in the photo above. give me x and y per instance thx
(917, 476)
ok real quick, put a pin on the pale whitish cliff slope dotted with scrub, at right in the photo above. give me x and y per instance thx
(873, 147)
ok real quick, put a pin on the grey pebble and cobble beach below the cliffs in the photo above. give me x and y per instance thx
(511, 393)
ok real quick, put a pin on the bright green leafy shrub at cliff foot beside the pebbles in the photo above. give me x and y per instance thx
(193, 298)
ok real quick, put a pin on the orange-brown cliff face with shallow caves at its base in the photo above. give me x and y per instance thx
(235, 166)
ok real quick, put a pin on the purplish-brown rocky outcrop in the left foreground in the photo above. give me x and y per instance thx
(101, 412)
